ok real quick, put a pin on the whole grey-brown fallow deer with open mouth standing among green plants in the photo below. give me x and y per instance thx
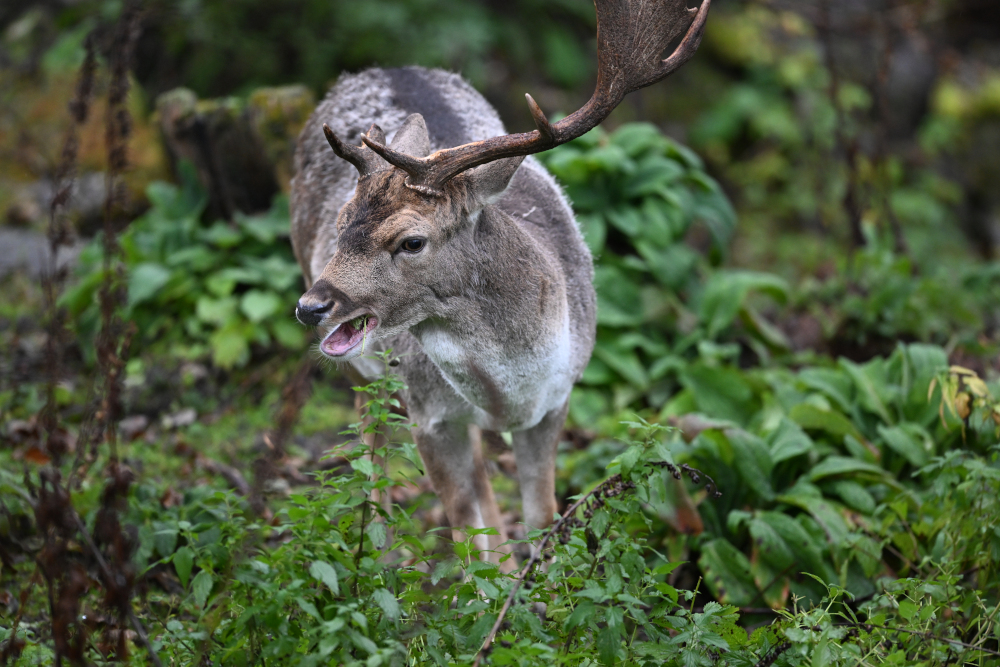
(429, 230)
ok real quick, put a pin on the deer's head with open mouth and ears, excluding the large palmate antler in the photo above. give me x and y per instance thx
(400, 248)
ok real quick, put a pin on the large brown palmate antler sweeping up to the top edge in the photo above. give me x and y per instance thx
(631, 35)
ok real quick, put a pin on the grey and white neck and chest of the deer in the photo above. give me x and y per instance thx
(500, 335)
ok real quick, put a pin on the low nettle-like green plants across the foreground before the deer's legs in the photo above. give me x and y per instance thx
(334, 579)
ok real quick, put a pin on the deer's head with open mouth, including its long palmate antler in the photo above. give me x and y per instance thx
(404, 238)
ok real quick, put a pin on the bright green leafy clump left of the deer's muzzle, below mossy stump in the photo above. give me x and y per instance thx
(198, 290)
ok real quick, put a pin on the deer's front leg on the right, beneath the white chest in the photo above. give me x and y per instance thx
(535, 453)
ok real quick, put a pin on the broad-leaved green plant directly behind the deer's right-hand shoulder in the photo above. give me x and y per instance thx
(637, 194)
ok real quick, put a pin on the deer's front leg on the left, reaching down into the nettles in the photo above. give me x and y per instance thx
(453, 456)
